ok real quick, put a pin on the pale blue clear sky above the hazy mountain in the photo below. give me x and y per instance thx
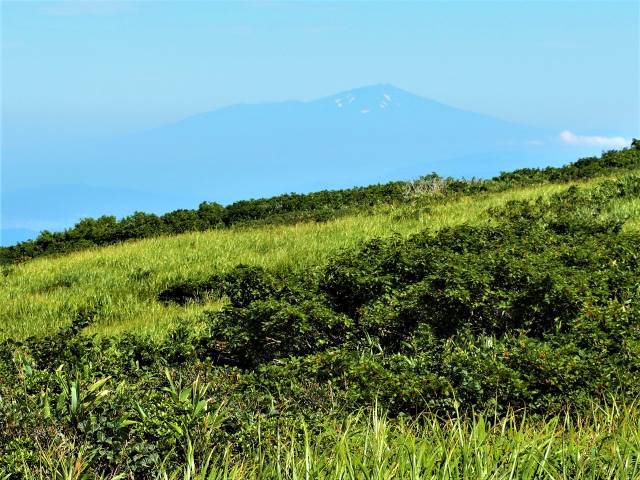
(81, 69)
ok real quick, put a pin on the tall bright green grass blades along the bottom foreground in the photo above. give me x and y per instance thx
(604, 444)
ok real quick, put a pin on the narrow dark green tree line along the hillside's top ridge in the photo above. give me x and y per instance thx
(295, 208)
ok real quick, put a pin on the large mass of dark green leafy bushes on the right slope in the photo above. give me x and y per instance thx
(540, 309)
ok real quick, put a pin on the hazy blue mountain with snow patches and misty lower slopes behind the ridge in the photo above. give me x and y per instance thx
(366, 135)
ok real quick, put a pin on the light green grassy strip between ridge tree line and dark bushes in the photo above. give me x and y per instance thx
(122, 281)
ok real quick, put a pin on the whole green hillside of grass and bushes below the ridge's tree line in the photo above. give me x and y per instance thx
(459, 333)
